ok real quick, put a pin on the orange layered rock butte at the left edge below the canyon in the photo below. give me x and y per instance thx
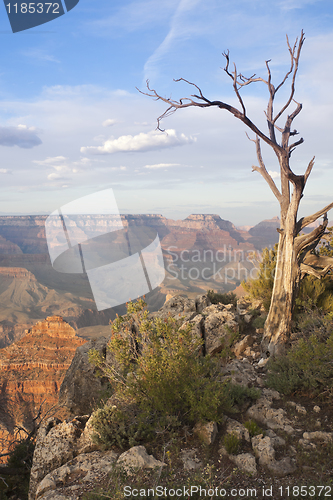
(31, 372)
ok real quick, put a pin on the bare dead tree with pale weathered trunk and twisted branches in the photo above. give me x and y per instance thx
(294, 248)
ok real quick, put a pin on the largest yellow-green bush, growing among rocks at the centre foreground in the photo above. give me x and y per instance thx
(159, 366)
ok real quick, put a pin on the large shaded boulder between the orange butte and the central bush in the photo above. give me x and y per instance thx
(80, 389)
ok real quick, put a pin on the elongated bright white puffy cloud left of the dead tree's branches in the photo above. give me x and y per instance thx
(141, 142)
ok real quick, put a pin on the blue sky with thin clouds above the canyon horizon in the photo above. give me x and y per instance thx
(72, 121)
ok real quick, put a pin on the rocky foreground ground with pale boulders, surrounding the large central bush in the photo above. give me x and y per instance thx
(292, 445)
